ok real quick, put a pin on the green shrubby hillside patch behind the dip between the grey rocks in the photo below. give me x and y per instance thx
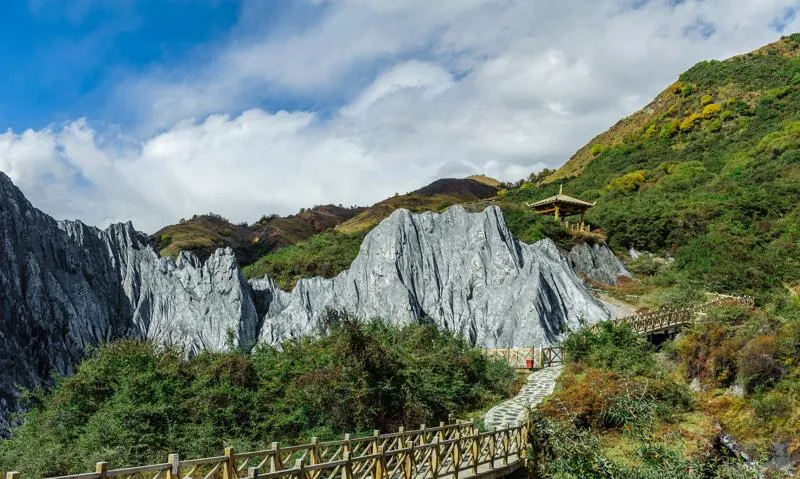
(326, 254)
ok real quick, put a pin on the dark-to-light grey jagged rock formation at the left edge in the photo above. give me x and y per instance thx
(65, 286)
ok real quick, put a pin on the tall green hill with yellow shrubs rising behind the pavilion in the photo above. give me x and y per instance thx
(709, 171)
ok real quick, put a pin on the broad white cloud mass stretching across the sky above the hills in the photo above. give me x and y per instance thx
(424, 89)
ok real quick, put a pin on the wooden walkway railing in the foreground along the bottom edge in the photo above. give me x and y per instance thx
(456, 451)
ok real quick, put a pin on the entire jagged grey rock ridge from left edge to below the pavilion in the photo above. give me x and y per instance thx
(65, 286)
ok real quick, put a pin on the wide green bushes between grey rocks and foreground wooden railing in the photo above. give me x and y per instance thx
(133, 402)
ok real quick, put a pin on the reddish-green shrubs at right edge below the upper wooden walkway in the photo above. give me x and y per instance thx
(759, 350)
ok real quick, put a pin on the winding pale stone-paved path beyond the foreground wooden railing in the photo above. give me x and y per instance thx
(540, 384)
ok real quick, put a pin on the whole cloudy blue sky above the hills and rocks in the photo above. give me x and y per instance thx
(153, 110)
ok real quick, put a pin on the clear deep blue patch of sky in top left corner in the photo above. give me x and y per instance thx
(61, 58)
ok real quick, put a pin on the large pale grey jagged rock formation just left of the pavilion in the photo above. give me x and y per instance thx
(464, 271)
